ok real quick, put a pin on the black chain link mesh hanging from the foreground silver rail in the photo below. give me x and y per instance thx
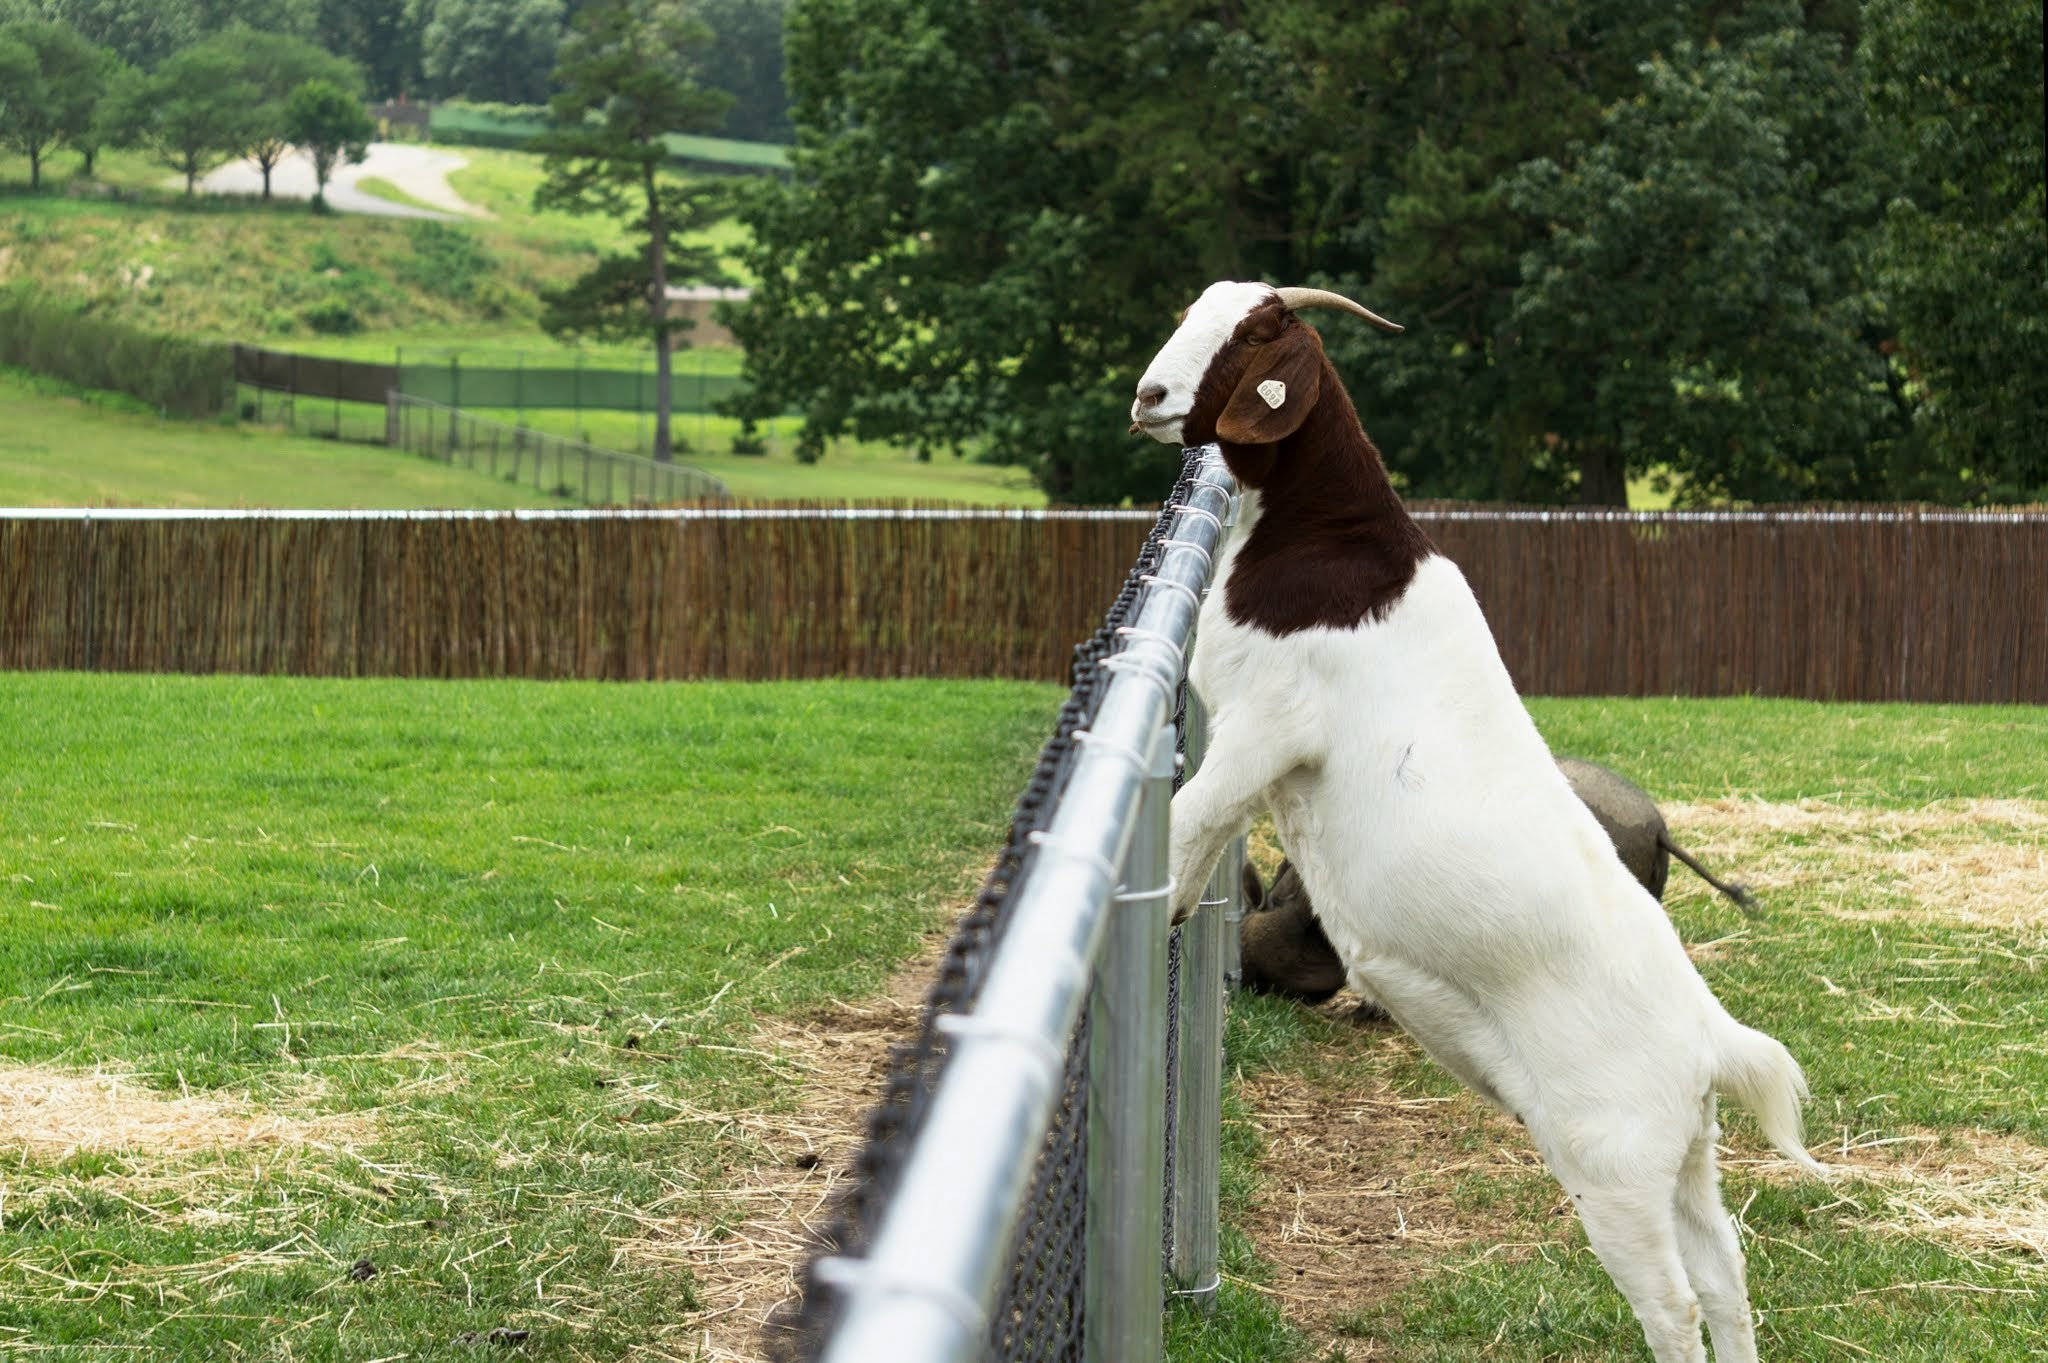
(1039, 1311)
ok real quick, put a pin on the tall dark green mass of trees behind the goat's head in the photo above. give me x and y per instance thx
(1770, 251)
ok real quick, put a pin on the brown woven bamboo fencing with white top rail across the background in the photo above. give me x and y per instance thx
(1828, 607)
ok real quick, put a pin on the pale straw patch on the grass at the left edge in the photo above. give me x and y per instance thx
(56, 1114)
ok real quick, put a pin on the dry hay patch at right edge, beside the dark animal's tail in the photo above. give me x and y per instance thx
(1975, 863)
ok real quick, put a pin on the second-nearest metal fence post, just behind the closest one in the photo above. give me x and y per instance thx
(1199, 1063)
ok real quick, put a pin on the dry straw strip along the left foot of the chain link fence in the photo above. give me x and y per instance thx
(746, 1239)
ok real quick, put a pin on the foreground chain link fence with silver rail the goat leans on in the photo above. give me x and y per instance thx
(1000, 1208)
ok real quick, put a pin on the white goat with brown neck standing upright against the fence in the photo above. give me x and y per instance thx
(1357, 693)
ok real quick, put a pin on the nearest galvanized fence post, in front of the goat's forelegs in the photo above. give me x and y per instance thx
(1121, 1317)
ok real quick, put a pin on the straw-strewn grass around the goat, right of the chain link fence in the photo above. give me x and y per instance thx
(1904, 959)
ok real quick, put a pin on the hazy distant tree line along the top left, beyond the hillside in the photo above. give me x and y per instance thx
(431, 50)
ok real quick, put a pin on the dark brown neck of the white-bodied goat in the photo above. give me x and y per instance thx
(1332, 547)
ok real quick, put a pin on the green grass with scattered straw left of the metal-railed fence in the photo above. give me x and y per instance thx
(460, 979)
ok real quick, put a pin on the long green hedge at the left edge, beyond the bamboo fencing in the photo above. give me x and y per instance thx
(65, 341)
